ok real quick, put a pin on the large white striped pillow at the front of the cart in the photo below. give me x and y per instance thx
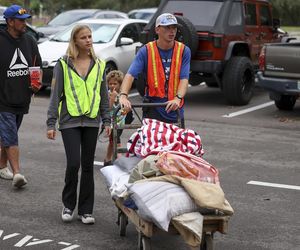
(159, 201)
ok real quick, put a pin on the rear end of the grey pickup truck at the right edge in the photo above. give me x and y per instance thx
(280, 74)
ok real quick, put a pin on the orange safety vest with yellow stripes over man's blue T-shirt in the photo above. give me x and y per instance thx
(156, 74)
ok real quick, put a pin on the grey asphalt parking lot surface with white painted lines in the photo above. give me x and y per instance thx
(256, 149)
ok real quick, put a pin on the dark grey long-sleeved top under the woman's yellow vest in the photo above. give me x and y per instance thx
(65, 119)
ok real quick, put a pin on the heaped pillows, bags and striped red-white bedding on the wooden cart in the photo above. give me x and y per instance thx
(165, 179)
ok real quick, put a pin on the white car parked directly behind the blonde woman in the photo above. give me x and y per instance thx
(115, 41)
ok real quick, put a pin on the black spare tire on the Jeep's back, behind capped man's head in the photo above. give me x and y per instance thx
(186, 33)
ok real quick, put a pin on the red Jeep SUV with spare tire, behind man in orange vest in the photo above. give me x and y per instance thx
(225, 37)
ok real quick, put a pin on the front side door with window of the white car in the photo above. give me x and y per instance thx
(127, 52)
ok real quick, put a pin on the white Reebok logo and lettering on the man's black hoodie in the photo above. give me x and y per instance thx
(18, 65)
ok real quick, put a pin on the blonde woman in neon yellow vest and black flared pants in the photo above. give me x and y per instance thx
(79, 102)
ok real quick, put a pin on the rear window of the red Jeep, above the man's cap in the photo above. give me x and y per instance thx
(201, 12)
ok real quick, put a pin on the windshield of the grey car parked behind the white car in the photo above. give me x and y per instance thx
(67, 18)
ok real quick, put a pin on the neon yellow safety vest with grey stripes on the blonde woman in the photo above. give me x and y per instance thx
(83, 96)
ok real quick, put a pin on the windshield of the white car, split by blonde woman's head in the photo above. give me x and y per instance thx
(102, 33)
